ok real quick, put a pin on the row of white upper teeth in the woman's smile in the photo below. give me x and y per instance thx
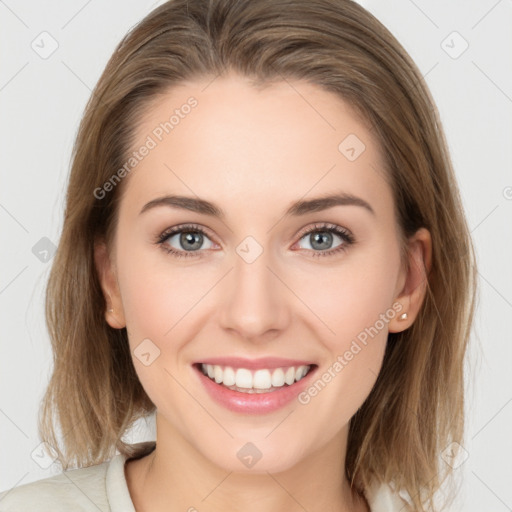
(256, 380)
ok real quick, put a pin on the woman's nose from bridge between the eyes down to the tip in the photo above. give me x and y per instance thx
(255, 299)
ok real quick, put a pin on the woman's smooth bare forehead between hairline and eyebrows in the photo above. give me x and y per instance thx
(228, 140)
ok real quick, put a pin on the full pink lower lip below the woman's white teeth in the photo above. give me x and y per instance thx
(253, 403)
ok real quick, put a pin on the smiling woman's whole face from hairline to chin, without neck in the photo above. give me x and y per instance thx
(262, 286)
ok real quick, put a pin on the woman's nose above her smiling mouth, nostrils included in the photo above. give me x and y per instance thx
(255, 303)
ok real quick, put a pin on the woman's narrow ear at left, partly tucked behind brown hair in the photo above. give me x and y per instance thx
(114, 315)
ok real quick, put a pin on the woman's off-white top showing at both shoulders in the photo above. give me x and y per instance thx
(103, 488)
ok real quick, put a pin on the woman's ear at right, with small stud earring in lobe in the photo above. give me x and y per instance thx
(413, 280)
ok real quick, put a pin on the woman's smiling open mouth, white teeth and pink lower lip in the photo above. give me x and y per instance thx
(255, 390)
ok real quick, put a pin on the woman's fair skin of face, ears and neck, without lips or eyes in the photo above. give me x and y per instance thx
(255, 152)
